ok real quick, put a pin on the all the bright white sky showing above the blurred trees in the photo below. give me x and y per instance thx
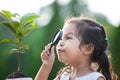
(109, 8)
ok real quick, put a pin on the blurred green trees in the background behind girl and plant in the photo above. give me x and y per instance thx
(38, 38)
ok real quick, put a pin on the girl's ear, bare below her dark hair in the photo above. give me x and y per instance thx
(88, 48)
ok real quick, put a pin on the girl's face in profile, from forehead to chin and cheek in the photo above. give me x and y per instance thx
(68, 50)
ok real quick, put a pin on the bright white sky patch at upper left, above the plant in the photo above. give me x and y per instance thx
(23, 6)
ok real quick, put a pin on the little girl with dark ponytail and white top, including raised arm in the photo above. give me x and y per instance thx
(83, 44)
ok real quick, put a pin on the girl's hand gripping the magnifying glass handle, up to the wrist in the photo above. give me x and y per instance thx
(48, 56)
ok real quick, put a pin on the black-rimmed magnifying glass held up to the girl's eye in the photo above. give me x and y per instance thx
(57, 36)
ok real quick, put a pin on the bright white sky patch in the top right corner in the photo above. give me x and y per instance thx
(110, 8)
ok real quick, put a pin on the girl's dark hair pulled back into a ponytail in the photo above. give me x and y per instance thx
(91, 32)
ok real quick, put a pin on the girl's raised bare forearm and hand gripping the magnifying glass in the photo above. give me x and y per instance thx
(47, 57)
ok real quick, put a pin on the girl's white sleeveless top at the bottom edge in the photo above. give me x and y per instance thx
(90, 76)
